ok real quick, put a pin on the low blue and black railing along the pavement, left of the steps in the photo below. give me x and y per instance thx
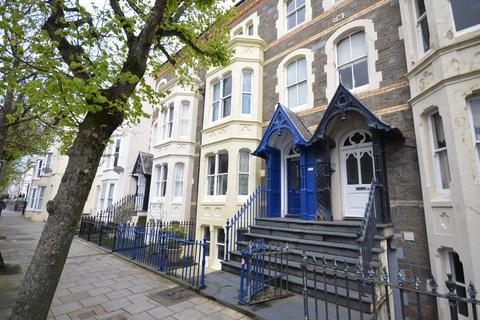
(167, 248)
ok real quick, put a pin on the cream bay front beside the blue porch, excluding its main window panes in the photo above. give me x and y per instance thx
(231, 135)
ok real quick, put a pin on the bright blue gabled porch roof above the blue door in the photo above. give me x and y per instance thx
(284, 119)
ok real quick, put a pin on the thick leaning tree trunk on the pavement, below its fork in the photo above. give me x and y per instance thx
(42, 276)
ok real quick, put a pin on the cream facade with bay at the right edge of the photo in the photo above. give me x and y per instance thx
(444, 79)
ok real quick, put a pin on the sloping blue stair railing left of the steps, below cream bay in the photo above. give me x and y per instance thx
(239, 224)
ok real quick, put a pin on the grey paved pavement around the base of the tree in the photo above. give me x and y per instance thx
(98, 285)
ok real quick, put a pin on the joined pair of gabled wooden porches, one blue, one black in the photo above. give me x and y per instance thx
(287, 143)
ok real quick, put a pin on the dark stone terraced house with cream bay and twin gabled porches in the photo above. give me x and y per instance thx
(315, 101)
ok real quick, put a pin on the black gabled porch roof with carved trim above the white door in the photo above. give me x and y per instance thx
(343, 102)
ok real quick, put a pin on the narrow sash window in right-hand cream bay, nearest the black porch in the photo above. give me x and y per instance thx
(440, 154)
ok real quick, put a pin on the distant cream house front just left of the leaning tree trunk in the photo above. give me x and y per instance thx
(45, 179)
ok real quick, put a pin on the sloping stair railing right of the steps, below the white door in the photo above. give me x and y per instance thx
(368, 228)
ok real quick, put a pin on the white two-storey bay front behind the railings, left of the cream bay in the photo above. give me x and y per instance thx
(173, 146)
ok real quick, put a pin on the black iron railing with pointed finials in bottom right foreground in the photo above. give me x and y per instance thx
(344, 292)
